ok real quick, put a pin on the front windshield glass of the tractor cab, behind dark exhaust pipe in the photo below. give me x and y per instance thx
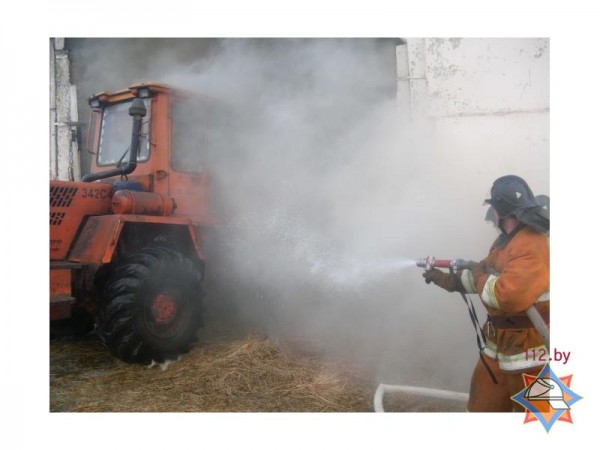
(115, 135)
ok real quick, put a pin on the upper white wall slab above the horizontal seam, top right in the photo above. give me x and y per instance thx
(486, 76)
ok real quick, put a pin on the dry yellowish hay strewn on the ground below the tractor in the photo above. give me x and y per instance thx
(250, 374)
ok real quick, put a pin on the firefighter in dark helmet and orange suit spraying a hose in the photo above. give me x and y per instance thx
(512, 278)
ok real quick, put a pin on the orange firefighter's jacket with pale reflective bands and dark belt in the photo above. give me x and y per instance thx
(517, 277)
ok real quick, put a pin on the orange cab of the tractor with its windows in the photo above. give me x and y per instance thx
(179, 135)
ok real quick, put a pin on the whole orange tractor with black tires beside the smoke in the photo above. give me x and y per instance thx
(126, 243)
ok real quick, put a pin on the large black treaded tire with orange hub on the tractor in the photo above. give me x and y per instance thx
(151, 307)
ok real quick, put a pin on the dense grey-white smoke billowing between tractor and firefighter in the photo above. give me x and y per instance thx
(327, 194)
